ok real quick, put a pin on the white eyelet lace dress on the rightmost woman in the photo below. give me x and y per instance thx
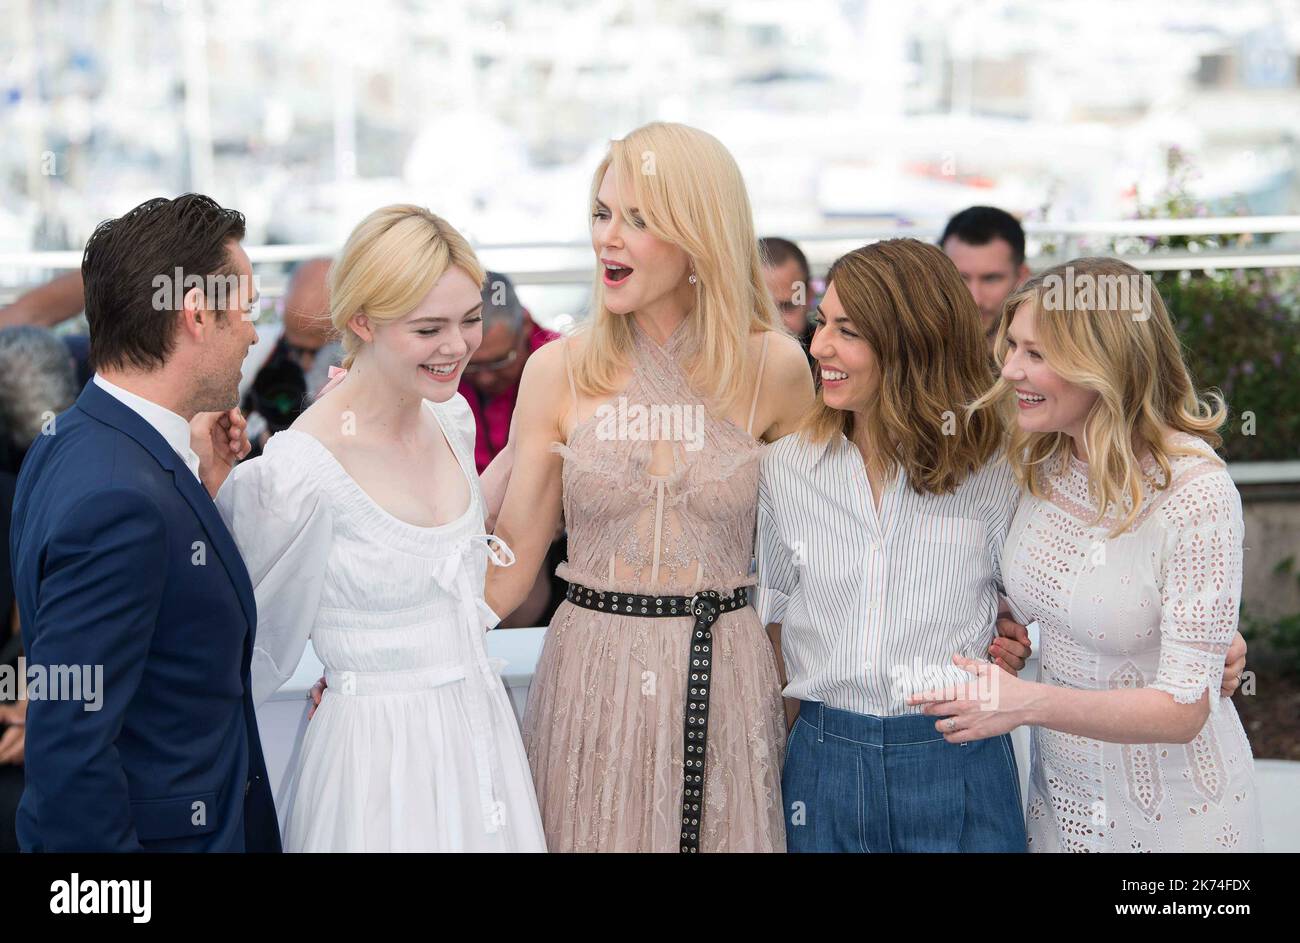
(1156, 607)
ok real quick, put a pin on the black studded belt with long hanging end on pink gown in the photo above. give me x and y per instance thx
(705, 608)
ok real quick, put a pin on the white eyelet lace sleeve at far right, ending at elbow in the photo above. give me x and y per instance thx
(1202, 587)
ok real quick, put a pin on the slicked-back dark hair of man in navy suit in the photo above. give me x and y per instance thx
(124, 258)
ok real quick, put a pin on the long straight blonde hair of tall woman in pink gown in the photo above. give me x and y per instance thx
(691, 194)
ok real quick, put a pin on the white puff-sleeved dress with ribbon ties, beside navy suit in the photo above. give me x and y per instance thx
(415, 746)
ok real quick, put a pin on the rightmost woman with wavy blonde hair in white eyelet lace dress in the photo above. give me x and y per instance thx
(1128, 552)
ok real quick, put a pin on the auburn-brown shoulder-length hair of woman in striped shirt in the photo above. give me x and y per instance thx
(907, 300)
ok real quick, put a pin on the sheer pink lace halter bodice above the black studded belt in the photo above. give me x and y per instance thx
(678, 533)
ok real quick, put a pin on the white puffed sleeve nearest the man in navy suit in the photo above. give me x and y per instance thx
(281, 521)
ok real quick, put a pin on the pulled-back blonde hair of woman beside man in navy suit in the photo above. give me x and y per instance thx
(389, 263)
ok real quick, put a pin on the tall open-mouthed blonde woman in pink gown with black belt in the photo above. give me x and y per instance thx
(656, 721)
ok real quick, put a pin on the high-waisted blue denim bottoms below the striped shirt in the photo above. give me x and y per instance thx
(864, 784)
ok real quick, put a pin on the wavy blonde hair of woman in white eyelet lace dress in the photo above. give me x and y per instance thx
(1102, 325)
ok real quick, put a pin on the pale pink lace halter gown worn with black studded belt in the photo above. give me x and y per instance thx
(604, 728)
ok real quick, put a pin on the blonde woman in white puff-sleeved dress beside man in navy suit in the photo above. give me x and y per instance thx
(363, 530)
